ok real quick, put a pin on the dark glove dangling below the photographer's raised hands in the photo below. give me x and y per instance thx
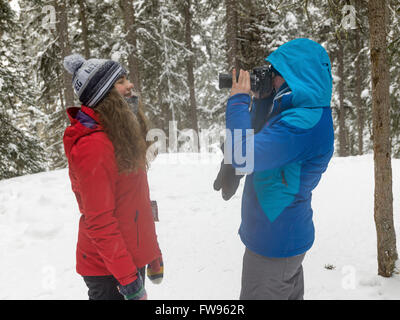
(227, 180)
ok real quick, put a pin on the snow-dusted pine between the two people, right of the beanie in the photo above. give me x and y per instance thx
(162, 55)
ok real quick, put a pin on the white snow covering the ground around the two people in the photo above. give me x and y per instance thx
(197, 233)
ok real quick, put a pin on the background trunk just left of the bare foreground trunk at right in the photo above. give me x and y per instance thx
(358, 86)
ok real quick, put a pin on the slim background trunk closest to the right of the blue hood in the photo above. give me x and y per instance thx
(343, 148)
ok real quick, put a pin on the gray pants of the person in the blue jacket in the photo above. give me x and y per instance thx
(266, 278)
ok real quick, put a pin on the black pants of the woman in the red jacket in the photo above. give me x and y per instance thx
(105, 287)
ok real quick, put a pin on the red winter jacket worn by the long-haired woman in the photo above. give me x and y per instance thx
(116, 230)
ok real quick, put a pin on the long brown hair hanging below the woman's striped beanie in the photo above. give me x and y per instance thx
(124, 130)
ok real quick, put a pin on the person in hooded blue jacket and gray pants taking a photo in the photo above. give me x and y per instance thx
(289, 154)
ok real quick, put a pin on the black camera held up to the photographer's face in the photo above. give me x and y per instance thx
(260, 80)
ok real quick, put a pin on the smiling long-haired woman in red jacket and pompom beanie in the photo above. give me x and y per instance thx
(106, 151)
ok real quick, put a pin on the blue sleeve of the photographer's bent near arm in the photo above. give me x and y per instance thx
(274, 146)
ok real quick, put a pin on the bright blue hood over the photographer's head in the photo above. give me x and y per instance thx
(306, 67)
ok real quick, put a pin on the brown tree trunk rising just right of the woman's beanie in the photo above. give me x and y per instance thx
(131, 38)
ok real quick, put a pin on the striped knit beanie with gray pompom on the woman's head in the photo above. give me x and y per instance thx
(92, 79)
